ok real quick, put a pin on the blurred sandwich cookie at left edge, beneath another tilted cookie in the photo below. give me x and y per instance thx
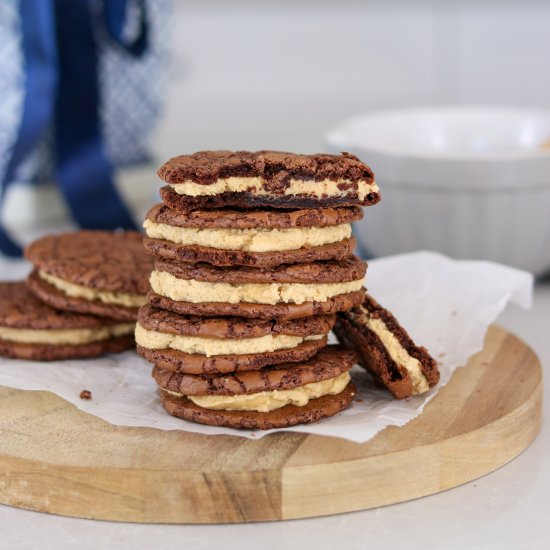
(30, 329)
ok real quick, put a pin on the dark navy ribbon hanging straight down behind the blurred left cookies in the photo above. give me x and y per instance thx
(84, 172)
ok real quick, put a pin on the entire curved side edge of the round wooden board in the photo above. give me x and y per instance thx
(297, 492)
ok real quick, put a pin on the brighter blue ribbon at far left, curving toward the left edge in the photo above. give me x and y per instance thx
(40, 55)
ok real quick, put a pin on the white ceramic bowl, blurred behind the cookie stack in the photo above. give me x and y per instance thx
(468, 182)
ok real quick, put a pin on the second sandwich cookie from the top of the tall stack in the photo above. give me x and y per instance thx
(256, 238)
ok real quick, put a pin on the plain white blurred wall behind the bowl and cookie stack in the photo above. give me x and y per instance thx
(265, 74)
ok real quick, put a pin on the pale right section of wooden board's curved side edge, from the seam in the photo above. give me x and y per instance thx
(308, 492)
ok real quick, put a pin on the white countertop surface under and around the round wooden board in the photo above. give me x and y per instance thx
(505, 509)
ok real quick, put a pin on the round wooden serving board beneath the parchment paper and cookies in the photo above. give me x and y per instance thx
(54, 458)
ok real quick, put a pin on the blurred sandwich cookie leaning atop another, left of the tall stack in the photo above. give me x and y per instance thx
(99, 272)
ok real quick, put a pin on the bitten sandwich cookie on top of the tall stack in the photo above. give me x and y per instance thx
(214, 179)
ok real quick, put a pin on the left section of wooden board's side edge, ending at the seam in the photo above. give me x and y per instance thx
(153, 496)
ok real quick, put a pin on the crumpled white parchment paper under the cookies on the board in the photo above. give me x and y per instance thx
(445, 305)
